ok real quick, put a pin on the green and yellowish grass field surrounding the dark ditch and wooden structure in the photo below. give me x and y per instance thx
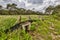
(47, 27)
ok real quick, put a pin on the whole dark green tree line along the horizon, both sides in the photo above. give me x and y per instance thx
(12, 9)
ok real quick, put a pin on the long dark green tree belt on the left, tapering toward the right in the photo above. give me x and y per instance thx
(12, 9)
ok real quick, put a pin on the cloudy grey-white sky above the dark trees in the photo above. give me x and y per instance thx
(39, 5)
